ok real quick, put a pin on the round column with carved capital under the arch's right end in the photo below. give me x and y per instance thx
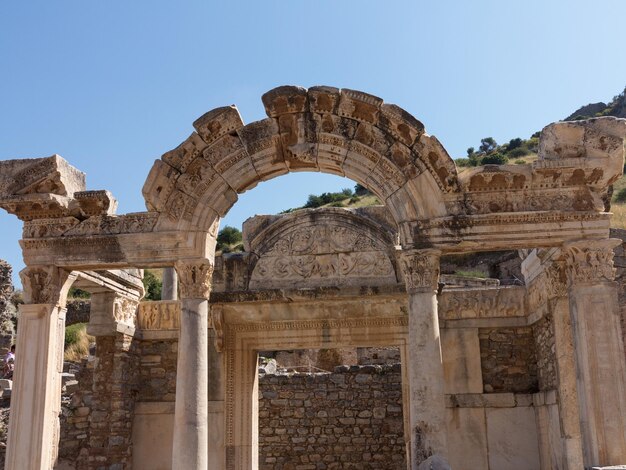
(427, 412)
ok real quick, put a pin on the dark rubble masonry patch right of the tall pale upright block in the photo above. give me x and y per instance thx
(508, 360)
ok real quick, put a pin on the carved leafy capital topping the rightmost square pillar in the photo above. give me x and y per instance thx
(590, 261)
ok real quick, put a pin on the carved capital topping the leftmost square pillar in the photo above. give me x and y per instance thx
(45, 284)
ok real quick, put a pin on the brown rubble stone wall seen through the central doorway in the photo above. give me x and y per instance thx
(351, 418)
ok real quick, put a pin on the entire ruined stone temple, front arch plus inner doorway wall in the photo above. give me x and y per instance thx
(498, 378)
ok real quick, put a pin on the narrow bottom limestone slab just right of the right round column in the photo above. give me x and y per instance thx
(467, 438)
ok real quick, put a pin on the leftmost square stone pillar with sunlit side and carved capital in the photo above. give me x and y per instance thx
(36, 401)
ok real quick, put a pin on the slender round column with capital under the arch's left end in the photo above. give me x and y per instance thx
(190, 414)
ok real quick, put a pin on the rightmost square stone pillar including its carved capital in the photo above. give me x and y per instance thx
(599, 350)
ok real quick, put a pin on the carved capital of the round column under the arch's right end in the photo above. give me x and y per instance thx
(420, 269)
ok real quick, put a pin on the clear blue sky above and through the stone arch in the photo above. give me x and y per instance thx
(112, 85)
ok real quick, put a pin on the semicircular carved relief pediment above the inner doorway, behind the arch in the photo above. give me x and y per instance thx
(318, 248)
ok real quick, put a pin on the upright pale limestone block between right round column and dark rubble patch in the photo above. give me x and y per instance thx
(461, 360)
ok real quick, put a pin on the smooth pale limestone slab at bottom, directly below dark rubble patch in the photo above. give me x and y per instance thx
(509, 450)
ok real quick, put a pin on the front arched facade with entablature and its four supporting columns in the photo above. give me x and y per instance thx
(554, 207)
